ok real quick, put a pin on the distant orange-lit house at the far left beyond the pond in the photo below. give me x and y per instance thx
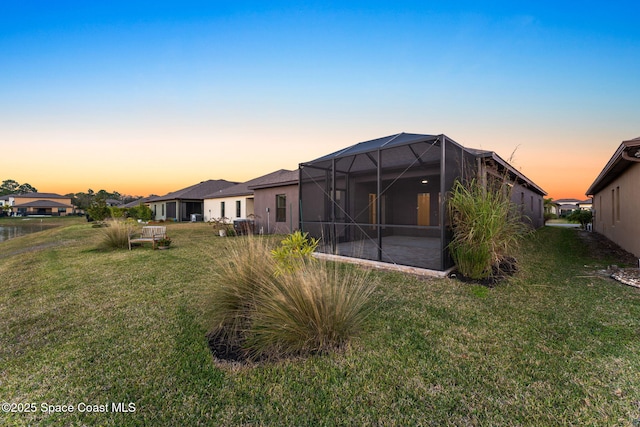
(49, 204)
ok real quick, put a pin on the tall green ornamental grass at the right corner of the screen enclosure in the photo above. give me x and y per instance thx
(487, 227)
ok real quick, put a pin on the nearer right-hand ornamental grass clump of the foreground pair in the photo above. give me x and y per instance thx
(315, 308)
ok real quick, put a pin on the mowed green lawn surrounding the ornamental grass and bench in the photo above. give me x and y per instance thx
(555, 345)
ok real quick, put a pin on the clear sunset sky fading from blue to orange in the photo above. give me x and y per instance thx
(147, 97)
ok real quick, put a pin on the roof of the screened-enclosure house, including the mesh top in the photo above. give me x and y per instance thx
(404, 139)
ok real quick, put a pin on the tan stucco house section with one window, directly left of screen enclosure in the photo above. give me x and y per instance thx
(276, 202)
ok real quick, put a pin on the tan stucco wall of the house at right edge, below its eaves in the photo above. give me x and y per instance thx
(623, 229)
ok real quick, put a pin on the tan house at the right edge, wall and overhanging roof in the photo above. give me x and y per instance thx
(616, 197)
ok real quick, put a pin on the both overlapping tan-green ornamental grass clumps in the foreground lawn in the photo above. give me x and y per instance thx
(264, 310)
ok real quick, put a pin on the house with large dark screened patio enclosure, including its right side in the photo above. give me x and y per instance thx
(385, 200)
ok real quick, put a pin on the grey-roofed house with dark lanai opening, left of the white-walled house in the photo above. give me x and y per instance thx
(181, 205)
